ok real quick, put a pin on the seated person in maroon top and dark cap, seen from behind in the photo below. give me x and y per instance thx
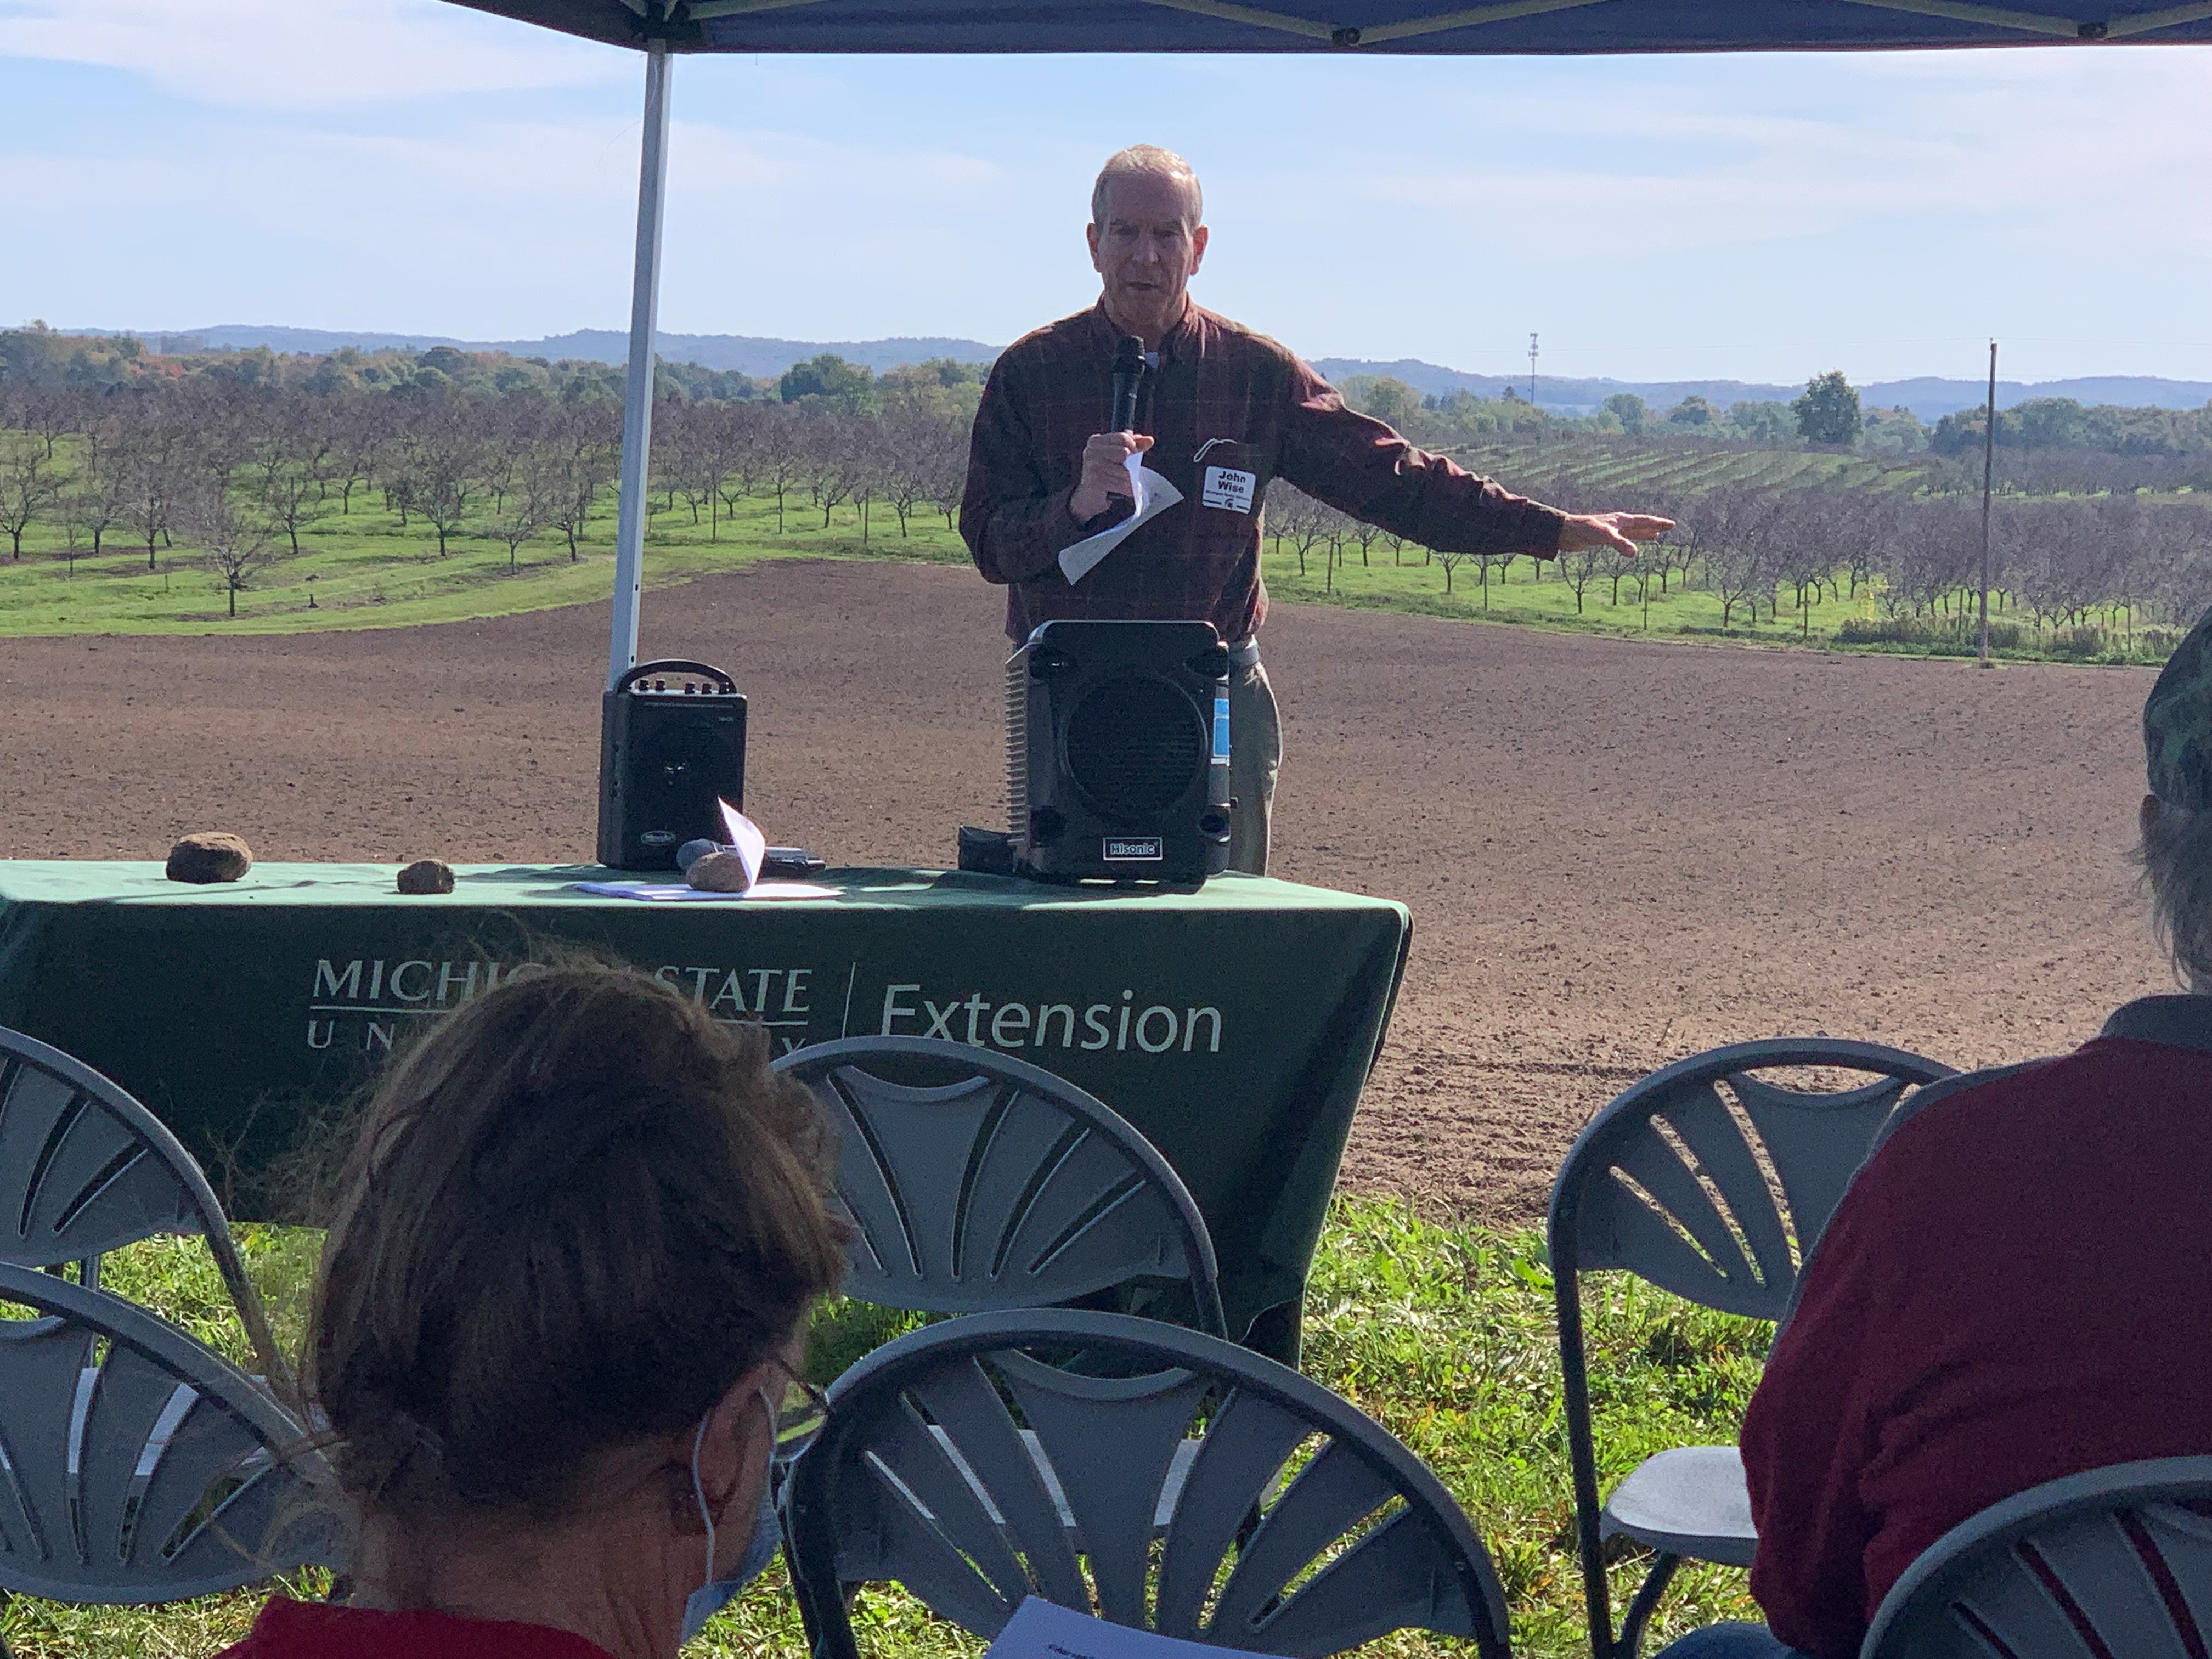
(2012, 1288)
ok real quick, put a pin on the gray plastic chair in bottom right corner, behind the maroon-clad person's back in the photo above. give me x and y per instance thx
(2065, 1572)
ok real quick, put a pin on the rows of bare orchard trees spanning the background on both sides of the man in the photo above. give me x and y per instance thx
(240, 472)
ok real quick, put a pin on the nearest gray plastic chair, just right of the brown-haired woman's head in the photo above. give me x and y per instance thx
(1198, 1494)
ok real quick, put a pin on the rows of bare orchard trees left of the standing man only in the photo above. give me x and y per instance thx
(242, 472)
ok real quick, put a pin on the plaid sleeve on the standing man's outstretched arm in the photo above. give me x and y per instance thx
(1359, 466)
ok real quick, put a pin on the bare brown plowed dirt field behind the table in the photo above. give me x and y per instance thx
(1616, 853)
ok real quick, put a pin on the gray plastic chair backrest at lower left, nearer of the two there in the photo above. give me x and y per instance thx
(140, 1465)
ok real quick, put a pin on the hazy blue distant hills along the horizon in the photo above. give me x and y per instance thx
(1928, 397)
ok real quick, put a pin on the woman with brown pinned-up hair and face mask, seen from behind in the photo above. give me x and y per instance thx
(559, 1326)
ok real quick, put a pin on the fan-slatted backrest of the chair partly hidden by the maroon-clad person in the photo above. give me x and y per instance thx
(1713, 1202)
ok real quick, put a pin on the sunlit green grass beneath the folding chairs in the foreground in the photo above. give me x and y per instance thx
(1443, 1333)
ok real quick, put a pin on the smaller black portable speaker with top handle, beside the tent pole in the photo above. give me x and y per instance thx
(671, 747)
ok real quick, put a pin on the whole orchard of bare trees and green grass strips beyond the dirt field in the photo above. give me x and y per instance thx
(426, 481)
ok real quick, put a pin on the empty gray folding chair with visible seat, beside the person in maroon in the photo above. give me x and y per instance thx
(1722, 1207)
